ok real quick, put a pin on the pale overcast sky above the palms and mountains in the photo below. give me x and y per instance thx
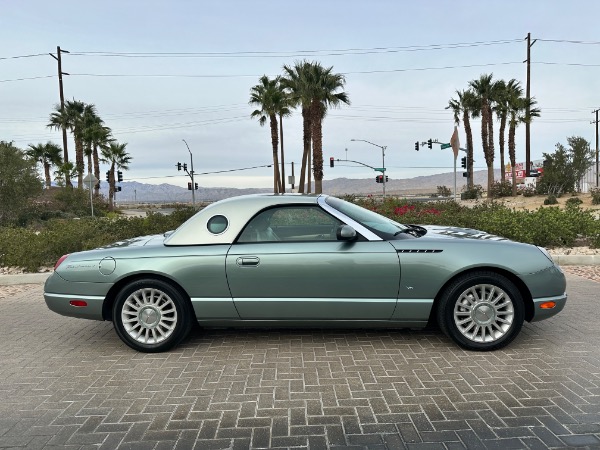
(400, 60)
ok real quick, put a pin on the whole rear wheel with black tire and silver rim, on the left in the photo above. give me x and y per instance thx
(151, 316)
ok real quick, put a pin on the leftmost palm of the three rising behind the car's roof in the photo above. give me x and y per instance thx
(269, 96)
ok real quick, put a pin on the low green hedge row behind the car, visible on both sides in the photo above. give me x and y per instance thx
(32, 248)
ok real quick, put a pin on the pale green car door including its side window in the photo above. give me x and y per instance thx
(305, 273)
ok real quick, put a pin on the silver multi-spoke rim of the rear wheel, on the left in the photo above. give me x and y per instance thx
(149, 316)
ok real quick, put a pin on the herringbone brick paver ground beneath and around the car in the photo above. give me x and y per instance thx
(70, 383)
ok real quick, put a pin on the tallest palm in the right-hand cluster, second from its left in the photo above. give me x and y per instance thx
(485, 91)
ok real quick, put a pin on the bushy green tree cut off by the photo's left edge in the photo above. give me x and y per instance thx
(19, 182)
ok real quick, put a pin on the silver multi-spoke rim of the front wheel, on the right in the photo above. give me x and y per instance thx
(484, 313)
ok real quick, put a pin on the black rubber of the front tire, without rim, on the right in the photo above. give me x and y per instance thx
(451, 295)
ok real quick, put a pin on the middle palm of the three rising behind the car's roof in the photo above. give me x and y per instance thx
(296, 83)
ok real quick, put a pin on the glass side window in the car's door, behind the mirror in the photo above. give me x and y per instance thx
(291, 223)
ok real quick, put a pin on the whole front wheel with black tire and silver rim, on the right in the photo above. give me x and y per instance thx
(481, 311)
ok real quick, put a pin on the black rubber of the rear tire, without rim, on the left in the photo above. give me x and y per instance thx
(184, 321)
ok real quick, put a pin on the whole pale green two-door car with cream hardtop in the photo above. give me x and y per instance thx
(308, 260)
